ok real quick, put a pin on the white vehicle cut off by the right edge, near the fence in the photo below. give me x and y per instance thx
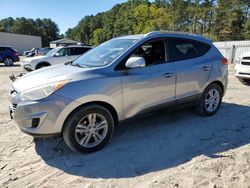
(242, 68)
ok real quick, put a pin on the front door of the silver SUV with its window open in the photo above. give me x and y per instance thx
(151, 85)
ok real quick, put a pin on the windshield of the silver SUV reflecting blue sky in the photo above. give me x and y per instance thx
(104, 54)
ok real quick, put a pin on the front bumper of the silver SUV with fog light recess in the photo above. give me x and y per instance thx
(38, 118)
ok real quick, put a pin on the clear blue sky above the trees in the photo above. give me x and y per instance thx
(66, 13)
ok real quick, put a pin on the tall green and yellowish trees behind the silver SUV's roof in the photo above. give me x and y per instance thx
(219, 20)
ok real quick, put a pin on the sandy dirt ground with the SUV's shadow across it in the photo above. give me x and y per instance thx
(163, 149)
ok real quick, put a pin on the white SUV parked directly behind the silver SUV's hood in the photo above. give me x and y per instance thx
(55, 56)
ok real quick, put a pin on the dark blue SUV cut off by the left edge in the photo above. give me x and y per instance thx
(8, 55)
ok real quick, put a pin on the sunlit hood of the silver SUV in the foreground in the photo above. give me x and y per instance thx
(53, 74)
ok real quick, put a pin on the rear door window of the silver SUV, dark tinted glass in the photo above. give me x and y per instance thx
(181, 49)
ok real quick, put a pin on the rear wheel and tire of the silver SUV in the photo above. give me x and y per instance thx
(206, 108)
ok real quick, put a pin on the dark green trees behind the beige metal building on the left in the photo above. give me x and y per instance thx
(46, 28)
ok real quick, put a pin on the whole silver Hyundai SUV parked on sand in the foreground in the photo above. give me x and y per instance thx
(123, 77)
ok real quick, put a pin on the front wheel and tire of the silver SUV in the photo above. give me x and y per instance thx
(78, 134)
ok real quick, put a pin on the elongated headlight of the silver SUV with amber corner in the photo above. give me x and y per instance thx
(42, 91)
